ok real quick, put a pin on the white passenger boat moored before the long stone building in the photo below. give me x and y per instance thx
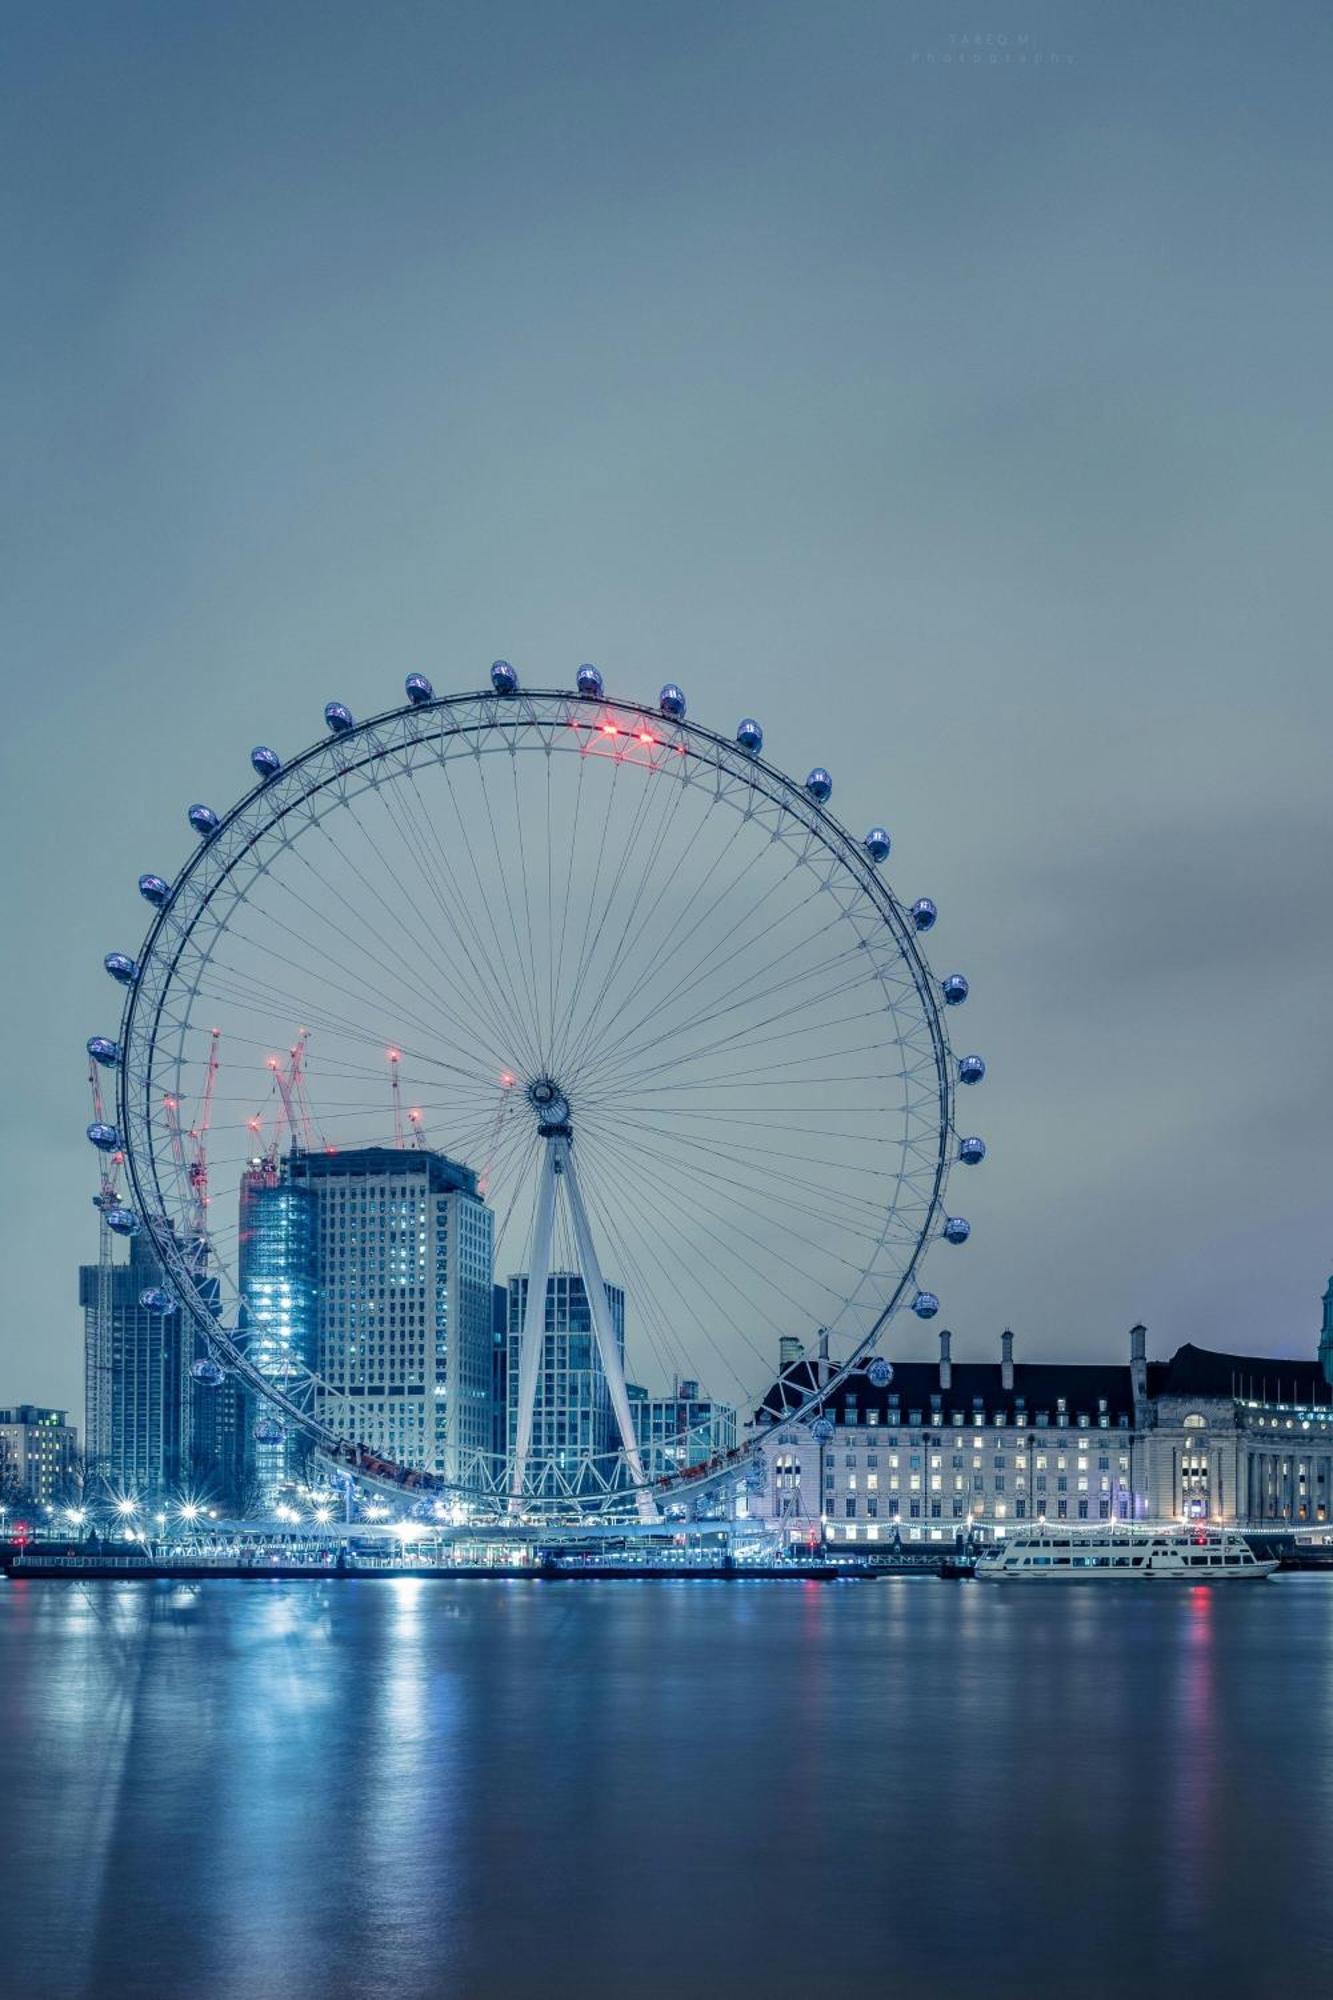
(1122, 1555)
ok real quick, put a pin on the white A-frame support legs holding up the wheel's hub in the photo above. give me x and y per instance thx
(559, 1167)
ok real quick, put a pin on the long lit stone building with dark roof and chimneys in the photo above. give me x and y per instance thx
(984, 1447)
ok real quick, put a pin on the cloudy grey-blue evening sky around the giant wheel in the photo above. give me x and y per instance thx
(956, 407)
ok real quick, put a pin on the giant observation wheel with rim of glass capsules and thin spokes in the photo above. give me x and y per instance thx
(659, 1015)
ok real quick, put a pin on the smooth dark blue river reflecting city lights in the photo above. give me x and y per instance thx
(507, 1789)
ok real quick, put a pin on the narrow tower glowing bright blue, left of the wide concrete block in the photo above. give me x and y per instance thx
(277, 1315)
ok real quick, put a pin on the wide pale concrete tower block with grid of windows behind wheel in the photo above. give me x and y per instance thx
(403, 1253)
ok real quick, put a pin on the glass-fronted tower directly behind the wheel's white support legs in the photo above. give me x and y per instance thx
(573, 1419)
